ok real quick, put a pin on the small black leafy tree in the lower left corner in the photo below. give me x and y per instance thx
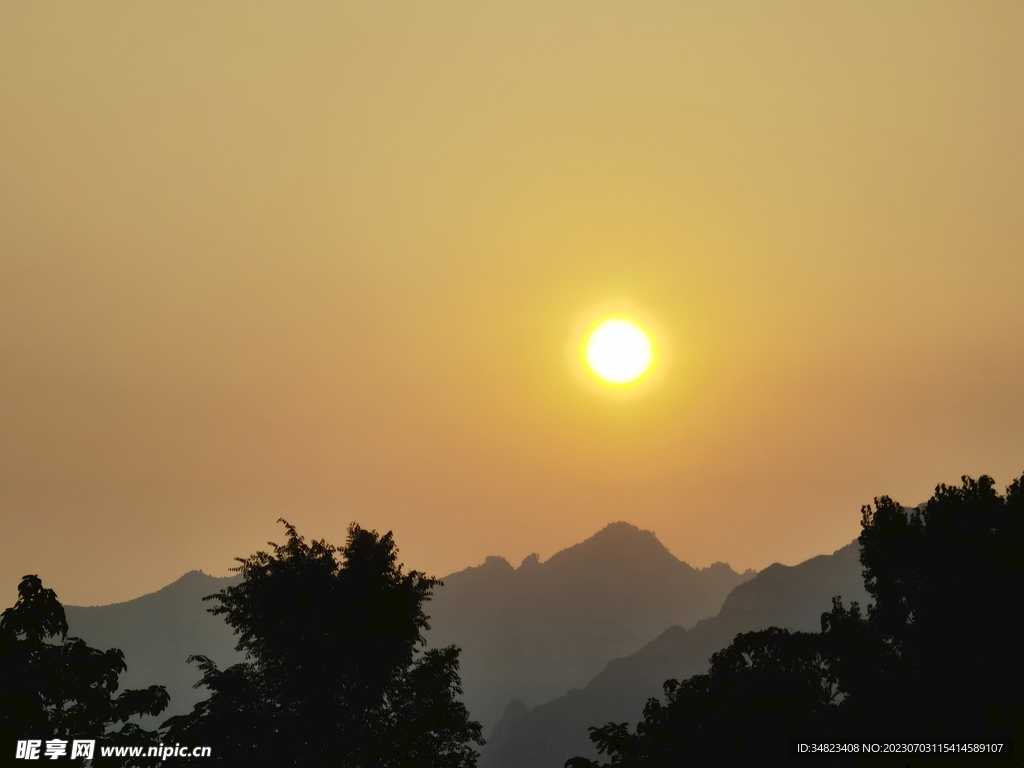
(57, 688)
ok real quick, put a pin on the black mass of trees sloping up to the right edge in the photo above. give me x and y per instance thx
(937, 656)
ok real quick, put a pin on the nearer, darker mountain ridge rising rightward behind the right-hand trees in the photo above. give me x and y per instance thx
(791, 598)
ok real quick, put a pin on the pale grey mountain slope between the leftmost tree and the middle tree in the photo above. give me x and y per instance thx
(158, 632)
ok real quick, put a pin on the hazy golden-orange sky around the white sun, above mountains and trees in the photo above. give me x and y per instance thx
(333, 262)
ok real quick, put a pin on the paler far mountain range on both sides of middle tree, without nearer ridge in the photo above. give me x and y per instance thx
(530, 633)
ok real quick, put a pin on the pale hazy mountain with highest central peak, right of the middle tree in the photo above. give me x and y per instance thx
(534, 632)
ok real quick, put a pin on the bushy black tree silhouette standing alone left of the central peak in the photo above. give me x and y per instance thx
(335, 673)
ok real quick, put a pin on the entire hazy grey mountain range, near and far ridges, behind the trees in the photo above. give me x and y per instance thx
(549, 649)
